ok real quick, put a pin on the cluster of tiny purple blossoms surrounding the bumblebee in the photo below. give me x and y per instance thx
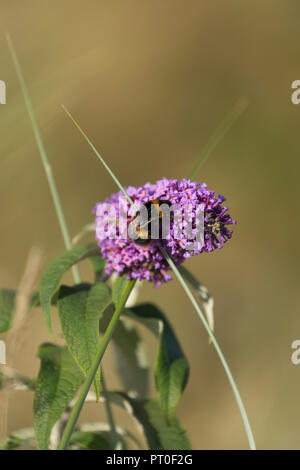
(124, 255)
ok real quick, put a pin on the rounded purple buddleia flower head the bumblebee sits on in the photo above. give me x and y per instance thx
(141, 261)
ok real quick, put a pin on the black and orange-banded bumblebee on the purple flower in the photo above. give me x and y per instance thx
(140, 230)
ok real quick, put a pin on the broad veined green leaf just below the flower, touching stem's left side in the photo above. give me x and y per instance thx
(79, 309)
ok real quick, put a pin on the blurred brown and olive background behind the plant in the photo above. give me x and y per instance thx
(150, 81)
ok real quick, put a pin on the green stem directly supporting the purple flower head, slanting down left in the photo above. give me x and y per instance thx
(96, 363)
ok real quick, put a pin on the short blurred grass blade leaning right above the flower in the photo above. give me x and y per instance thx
(218, 135)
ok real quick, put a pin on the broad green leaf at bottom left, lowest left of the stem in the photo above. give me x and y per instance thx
(58, 381)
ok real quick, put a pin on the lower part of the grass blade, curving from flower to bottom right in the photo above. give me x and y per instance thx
(218, 349)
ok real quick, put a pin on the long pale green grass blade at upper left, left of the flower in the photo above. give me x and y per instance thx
(43, 154)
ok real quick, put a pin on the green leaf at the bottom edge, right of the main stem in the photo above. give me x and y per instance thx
(159, 434)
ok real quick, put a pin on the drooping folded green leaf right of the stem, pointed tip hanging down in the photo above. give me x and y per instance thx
(171, 371)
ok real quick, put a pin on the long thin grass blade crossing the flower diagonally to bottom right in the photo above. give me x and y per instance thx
(197, 308)
